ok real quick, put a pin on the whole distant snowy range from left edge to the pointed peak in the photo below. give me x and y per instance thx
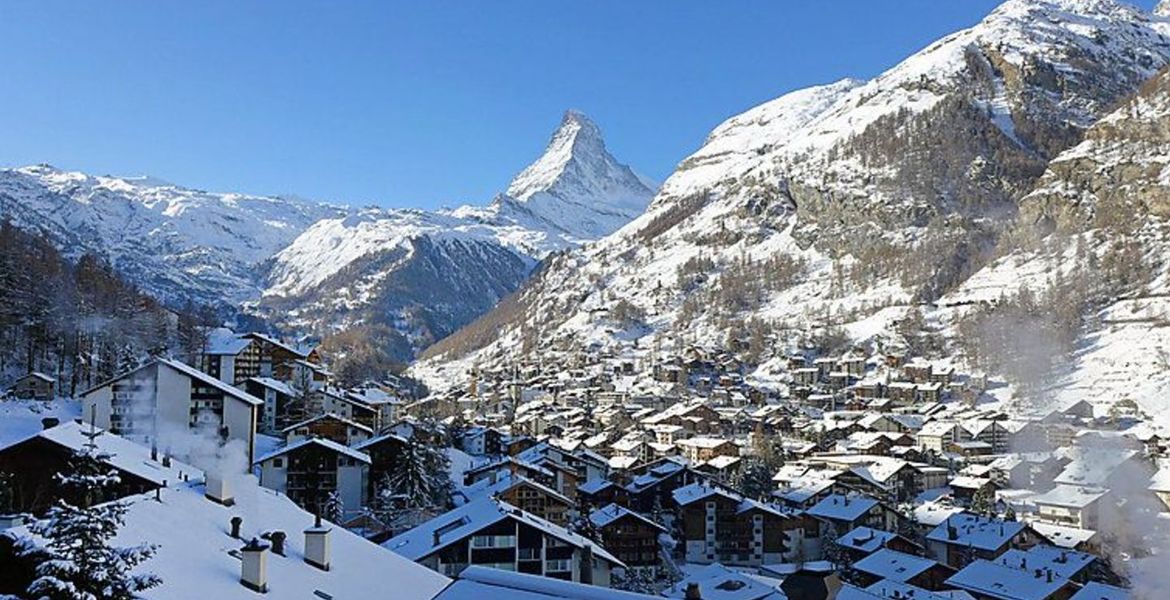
(321, 268)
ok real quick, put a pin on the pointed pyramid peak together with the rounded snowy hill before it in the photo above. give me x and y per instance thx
(425, 274)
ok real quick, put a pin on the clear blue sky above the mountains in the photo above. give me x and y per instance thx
(422, 104)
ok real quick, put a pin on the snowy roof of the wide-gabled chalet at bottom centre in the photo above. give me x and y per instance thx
(457, 525)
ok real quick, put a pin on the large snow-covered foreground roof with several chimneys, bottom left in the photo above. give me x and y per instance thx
(197, 558)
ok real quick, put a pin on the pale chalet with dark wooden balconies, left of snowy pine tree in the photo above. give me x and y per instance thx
(309, 471)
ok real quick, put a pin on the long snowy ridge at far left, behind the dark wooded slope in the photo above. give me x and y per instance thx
(174, 242)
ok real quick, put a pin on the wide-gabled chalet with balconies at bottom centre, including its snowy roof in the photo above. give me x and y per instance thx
(497, 535)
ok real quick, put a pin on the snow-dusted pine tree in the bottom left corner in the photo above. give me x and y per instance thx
(78, 562)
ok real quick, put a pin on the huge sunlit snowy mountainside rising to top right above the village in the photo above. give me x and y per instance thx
(842, 205)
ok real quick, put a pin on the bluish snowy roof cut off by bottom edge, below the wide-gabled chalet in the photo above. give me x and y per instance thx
(480, 583)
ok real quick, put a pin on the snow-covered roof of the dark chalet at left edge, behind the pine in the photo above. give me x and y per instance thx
(123, 454)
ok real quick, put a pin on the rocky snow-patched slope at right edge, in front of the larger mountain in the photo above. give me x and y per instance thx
(1095, 237)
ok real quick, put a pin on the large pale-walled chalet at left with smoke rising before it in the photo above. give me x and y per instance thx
(155, 403)
